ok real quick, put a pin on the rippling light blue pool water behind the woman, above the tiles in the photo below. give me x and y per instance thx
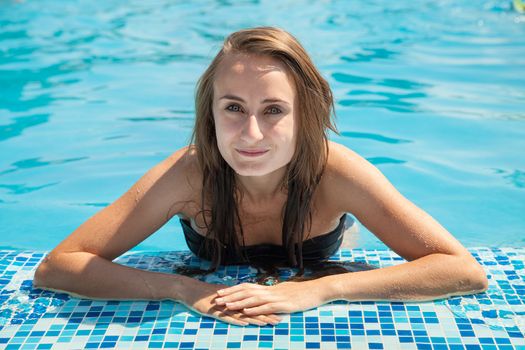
(93, 94)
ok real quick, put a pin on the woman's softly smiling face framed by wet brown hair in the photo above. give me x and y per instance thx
(253, 109)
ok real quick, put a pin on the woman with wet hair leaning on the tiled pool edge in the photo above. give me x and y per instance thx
(261, 173)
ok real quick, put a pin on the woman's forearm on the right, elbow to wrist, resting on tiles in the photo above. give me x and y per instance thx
(431, 277)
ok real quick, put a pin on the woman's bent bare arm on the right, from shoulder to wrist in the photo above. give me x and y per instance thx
(438, 265)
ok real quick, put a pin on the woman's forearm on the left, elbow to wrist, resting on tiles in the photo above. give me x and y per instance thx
(84, 274)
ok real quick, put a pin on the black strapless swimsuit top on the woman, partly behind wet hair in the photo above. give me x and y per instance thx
(314, 249)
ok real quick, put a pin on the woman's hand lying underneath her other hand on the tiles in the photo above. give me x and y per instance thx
(200, 297)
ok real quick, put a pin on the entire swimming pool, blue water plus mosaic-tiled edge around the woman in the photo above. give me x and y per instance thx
(94, 94)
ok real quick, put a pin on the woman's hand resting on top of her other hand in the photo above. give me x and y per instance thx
(285, 297)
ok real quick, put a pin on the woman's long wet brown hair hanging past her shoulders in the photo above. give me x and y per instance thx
(315, 111)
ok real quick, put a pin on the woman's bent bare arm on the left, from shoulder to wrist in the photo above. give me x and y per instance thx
(82, 263)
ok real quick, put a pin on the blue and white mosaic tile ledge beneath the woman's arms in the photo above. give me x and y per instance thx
(37, 319)
